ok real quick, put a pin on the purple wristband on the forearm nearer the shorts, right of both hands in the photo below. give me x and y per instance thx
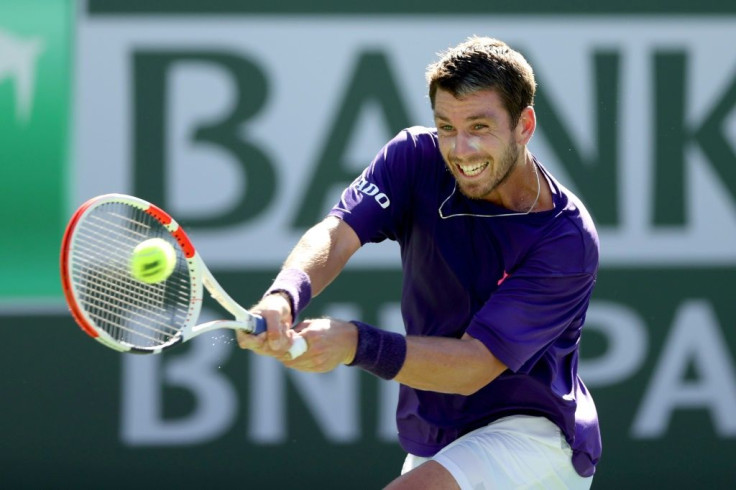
(379, 352)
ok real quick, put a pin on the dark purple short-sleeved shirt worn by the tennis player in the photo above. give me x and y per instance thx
(519, 284)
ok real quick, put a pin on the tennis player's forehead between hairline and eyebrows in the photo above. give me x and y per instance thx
(482, 104)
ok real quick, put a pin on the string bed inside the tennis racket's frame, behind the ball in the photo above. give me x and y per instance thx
(143, 315)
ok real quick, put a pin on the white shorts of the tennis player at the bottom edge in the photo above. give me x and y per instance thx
(519, 451)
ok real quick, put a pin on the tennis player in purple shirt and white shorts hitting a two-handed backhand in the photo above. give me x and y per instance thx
(499, 262)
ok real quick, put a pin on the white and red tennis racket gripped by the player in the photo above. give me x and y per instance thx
(124, 313)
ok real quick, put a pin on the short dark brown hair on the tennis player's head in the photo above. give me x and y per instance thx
(483, 63)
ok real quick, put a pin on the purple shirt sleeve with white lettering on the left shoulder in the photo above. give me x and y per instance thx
(374, 204)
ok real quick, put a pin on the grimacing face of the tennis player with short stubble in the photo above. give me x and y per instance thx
(476, 142)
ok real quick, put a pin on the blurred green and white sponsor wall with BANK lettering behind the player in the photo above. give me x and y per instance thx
(245, 119)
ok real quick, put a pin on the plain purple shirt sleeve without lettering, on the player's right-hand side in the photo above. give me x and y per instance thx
(534, 308)
